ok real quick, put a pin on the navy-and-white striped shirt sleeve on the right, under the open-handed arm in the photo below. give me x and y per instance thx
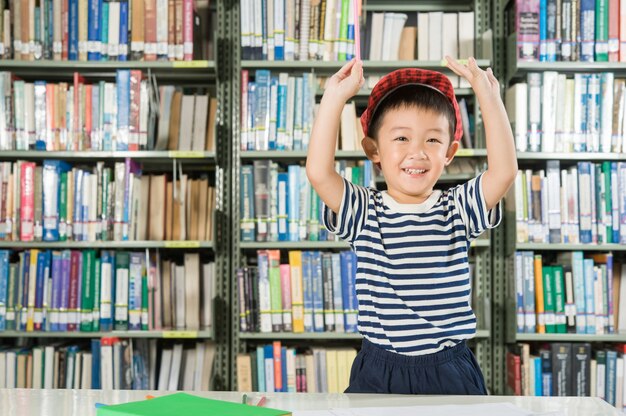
(470, 202)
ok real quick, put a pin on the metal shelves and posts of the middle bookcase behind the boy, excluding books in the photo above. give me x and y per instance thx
(482, 259)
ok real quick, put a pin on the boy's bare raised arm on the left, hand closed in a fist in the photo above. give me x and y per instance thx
(320, 161)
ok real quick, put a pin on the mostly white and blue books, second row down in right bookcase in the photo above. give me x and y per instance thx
(553, 113)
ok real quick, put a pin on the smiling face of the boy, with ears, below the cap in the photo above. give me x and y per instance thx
(413, 146)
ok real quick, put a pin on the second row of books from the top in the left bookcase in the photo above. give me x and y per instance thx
(121, 115)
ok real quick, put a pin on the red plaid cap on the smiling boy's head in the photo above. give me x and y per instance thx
(411, 76)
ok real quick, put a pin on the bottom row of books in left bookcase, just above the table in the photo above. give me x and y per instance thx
(108, 363)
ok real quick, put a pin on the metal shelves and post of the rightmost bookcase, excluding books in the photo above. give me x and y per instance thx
(507, 322)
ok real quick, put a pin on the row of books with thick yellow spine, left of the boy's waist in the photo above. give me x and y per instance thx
(312, 292)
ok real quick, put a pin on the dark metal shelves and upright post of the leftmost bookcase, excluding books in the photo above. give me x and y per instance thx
(190, 74)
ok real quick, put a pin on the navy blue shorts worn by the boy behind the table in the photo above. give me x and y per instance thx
(451, 371)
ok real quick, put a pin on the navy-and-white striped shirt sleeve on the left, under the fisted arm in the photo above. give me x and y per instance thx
(348, 222)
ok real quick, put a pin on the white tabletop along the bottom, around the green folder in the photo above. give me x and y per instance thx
(31, 402)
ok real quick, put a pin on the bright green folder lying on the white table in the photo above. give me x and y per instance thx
(188, 405)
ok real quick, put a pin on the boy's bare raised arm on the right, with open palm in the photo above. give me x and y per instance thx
(501, 156)
